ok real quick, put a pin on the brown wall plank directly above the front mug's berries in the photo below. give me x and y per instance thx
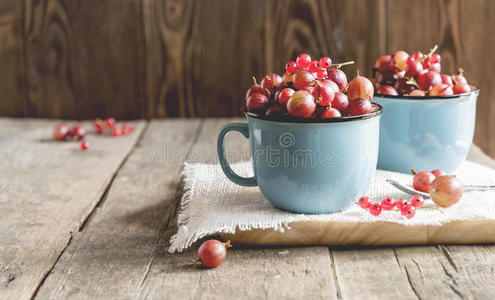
(343, 30)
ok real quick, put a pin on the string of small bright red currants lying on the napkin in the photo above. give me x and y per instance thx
(406, 208)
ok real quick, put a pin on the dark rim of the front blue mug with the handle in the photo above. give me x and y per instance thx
(292, 119)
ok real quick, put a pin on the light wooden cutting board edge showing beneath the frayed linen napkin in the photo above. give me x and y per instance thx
(477, 231)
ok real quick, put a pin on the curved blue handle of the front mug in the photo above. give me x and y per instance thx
(244, 130)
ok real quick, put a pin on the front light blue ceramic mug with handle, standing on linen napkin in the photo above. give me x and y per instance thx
(308, 165)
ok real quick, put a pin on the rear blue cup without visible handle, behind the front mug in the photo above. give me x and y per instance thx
(426, 133)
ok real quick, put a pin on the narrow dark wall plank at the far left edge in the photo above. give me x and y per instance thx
(11, 58)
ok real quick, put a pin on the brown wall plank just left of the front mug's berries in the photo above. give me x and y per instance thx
(198, 64)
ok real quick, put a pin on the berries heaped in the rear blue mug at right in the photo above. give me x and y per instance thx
(417, 75)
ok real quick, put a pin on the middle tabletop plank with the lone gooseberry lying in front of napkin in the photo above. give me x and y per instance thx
(122, 252)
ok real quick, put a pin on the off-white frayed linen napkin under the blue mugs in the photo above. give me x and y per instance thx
(212, 204)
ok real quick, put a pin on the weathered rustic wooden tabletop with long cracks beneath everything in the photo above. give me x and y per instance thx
(97, 224)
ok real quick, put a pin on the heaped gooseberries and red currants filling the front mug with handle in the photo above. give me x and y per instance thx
(311, 89)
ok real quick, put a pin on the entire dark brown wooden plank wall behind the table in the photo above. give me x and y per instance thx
(156, 58)
